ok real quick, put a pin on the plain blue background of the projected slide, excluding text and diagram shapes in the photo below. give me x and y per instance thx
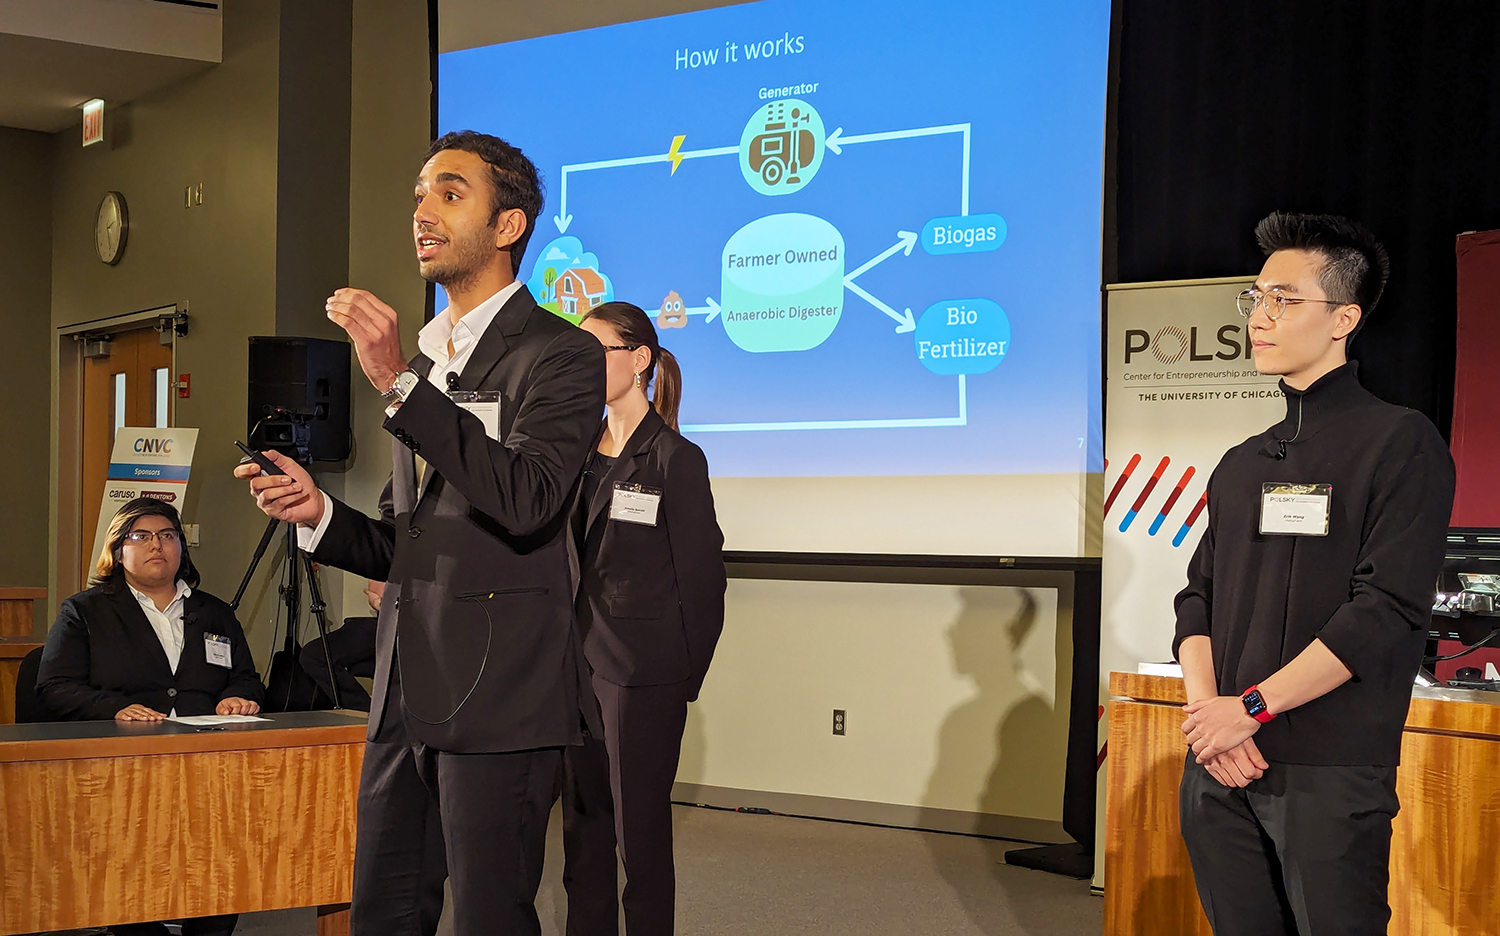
(1030, 79)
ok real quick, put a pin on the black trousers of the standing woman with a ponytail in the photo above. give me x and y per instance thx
(619, 793)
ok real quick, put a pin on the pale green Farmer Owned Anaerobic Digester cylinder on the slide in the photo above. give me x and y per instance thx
(782, 284)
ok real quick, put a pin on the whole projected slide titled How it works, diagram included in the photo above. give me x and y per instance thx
(868, 230)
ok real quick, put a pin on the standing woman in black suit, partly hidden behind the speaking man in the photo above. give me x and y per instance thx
(649, 610)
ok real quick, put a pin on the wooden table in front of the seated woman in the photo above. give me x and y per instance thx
(112, 823)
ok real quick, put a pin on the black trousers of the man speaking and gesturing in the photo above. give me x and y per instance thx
(478, 820)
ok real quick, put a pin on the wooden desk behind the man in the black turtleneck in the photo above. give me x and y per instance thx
(1445, 851)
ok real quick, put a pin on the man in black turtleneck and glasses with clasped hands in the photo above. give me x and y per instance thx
(1307, 610)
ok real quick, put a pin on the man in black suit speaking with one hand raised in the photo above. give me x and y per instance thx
(479, 677)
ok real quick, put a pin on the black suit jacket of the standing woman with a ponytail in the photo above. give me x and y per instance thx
(652, 599)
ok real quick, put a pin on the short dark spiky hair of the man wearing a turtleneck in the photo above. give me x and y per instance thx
(1355, 266)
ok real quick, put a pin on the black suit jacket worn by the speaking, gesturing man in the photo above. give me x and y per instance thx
(478, 614)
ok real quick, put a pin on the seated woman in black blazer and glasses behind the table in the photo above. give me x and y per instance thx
(145, 643)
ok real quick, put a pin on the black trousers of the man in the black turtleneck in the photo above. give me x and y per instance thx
(1304, 851)
